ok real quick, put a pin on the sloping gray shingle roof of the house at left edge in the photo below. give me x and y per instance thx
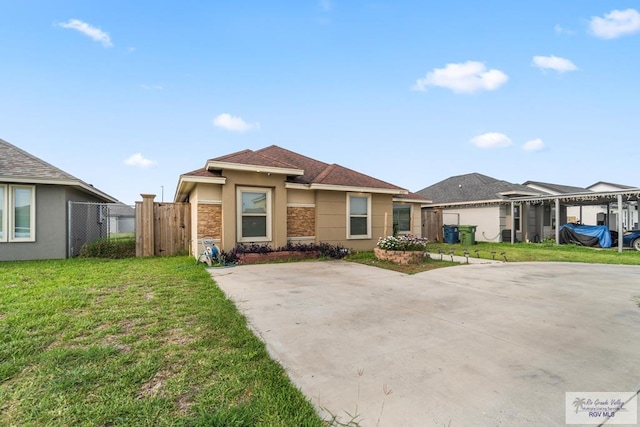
(16, 165)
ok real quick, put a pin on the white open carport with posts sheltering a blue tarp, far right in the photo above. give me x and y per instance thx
(613, 199)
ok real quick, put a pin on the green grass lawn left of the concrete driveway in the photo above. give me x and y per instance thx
(133, 342)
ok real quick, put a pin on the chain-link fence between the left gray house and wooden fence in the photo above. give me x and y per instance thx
(89, 222)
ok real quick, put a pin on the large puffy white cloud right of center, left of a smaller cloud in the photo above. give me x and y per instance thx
(467, 77)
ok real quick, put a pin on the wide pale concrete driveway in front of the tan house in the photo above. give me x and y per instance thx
(474, 345)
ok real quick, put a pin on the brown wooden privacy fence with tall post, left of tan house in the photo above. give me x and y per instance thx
(162, 228)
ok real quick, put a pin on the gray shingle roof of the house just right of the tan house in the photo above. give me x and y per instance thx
(473, 187)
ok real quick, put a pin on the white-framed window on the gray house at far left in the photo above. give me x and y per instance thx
(17, 213)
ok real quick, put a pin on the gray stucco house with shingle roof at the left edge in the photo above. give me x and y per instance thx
(34, 198)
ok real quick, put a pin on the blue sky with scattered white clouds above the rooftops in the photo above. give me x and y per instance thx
(129, 95)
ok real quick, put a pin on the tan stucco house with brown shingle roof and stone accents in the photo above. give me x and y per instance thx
(274, 196)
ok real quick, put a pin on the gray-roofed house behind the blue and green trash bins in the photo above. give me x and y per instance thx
(474, 199)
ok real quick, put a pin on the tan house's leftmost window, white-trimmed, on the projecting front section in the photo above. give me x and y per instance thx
(254, 214)
